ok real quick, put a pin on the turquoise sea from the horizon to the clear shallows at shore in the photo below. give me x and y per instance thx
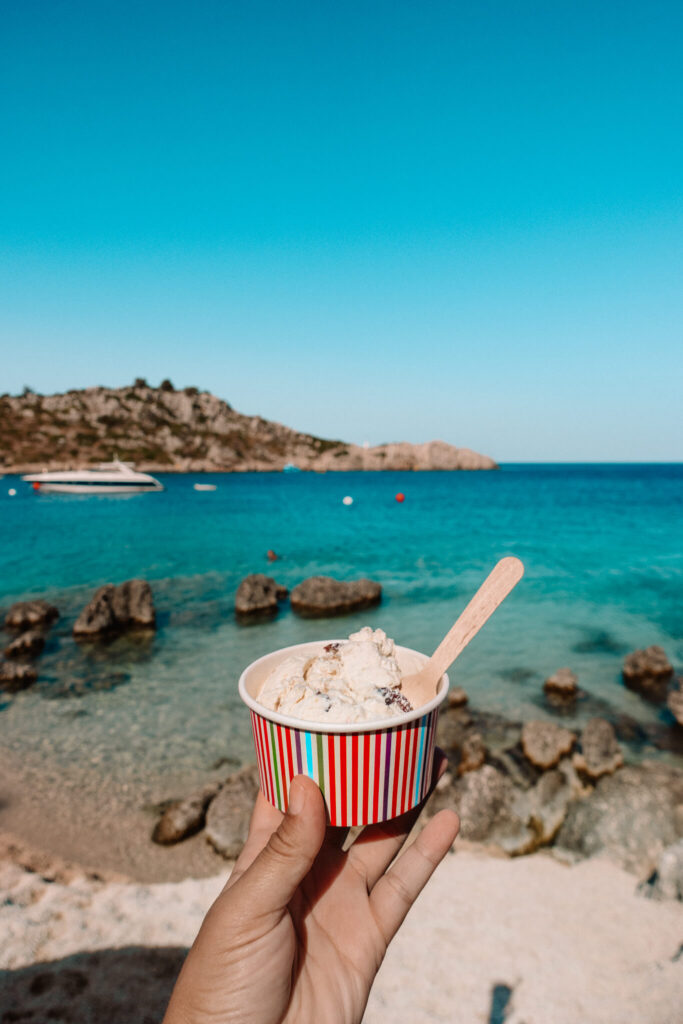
(603, 547)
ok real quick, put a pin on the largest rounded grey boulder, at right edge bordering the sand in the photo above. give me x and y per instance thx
(630, 818)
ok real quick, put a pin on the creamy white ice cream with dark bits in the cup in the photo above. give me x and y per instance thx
(355, 680)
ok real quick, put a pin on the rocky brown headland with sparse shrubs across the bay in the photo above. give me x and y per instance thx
(162, 430)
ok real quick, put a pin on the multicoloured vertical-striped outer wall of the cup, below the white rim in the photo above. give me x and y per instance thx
(365, 777)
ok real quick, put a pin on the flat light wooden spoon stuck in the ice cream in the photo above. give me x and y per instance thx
(420, 688)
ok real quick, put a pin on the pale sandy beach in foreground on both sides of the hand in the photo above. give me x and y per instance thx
(577, 946)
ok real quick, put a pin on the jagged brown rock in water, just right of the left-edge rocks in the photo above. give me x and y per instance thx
(115, 610)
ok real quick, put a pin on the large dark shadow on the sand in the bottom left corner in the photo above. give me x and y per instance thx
(110, 987)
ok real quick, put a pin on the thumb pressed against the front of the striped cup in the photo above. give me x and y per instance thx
(289, 855)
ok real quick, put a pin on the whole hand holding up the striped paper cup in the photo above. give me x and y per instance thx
(301, 930)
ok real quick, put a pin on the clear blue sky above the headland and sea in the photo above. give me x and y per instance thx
(378, 222)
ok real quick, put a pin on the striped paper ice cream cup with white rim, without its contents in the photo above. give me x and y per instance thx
(368, 772)
